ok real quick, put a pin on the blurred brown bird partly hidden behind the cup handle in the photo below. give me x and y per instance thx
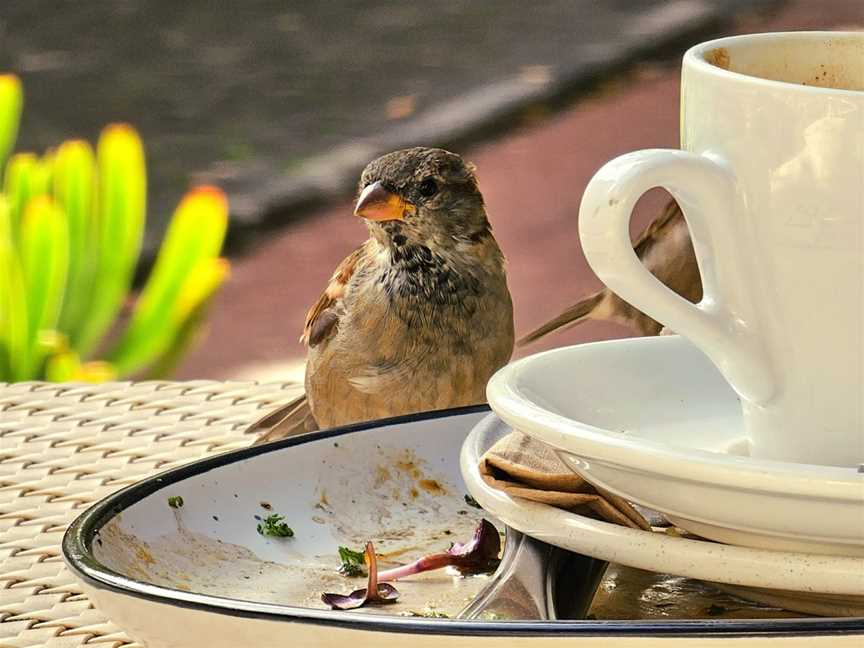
(667, 252)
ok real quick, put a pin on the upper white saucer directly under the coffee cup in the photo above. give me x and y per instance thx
(652, 420)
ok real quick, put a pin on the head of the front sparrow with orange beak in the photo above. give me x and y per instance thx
(421, 196)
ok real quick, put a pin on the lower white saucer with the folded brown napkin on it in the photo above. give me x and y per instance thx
(774, 575)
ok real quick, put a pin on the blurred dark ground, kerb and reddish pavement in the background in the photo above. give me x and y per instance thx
(282, 104)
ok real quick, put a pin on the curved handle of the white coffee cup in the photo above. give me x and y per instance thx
(705, 189)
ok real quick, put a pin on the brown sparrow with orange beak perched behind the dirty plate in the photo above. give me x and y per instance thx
(419, 316)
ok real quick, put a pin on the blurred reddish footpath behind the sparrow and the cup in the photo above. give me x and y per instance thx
(532, 178)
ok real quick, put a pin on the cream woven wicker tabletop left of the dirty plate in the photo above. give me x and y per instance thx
(62, 447)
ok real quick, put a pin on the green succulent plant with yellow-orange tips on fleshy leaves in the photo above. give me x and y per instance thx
(71, 226)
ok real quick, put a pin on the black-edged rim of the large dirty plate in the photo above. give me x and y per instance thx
(82, 533)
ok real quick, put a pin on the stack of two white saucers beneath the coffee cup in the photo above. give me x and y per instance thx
(652, 420)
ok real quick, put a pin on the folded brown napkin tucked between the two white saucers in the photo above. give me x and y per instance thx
(524, 467)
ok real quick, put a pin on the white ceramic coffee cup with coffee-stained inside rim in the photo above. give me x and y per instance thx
(771, 183)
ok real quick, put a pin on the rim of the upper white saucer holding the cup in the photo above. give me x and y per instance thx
(517, 408)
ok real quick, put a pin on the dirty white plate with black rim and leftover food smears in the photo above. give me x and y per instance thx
(175, 578)
